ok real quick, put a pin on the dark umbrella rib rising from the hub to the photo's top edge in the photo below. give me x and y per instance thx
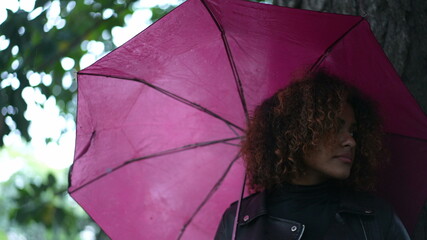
(230, 60)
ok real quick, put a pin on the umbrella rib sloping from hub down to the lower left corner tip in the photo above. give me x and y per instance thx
(162, 153)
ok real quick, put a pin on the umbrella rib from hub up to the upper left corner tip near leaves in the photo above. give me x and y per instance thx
(172, 95)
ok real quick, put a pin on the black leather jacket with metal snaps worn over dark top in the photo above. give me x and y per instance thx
(360, 216)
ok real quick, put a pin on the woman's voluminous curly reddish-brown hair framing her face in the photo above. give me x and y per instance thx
(288, 125)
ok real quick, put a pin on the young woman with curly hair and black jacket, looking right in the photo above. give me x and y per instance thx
(310, 153)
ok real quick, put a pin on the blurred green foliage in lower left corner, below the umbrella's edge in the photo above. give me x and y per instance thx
(42, 209)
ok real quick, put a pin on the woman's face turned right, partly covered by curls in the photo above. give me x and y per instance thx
(332, 161)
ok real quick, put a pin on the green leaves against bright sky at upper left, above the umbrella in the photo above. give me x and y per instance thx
(39, 40)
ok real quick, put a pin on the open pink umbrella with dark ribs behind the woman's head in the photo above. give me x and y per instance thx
(160, 118)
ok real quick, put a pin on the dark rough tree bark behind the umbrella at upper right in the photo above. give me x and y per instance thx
(400, 27)
